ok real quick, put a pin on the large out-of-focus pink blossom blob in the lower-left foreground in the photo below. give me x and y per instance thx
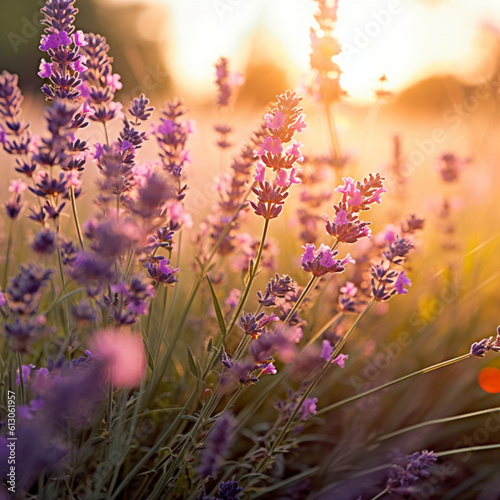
(122, 353)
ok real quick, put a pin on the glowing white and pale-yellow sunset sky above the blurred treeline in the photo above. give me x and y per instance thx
(404, 39)
